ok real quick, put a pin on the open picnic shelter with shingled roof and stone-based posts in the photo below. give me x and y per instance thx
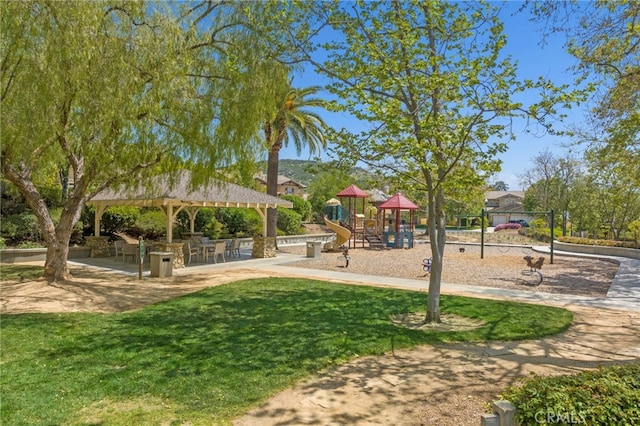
(173, 195)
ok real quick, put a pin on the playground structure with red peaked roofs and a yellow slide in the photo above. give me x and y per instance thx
(390, 228)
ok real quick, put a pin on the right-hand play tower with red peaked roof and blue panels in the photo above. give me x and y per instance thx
(398, 229)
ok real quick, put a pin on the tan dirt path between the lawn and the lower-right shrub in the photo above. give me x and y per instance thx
(448, 384)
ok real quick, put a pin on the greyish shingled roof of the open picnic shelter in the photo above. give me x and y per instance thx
(180, 193)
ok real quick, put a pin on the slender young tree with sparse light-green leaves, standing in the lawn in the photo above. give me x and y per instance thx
(431, 80)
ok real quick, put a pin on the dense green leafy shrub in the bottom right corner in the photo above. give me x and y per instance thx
(605, 396)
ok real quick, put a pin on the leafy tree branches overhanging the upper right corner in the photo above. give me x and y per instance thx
(603, 36)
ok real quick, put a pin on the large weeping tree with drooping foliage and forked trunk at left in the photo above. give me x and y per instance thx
(117, 92)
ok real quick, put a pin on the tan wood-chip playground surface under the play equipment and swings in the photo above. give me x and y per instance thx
(501, 267)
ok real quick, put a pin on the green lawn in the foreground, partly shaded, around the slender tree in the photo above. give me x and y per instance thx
(208, 357)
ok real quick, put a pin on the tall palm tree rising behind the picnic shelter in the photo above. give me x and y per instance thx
(291, 121)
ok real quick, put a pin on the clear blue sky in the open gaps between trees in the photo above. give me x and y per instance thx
(523, 43)
